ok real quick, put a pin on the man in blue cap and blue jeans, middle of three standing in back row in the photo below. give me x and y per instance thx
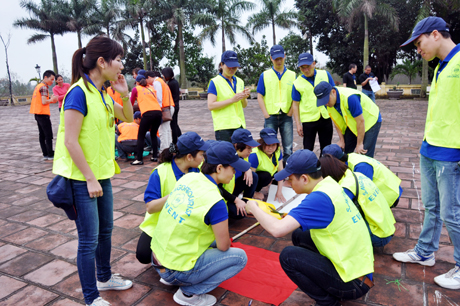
(274, 97)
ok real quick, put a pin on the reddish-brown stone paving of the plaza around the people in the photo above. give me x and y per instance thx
(38, 245)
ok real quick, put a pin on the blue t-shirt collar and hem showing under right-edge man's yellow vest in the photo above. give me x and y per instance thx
(435, 152)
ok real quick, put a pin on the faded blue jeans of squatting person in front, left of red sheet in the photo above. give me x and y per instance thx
(210, 270)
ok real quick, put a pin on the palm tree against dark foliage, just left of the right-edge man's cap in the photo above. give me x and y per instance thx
(350, 10)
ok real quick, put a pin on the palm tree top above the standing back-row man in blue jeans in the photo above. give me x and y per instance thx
(271, 15)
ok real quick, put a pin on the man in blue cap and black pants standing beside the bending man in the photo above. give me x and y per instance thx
(311, 119)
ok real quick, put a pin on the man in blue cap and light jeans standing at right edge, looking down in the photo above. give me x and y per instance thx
(440, 150)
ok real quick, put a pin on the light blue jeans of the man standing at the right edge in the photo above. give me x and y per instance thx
(441, 198)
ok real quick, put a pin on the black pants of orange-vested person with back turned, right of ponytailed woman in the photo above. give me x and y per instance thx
(151, 120)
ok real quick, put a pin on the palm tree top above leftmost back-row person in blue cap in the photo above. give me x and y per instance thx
(225, 16)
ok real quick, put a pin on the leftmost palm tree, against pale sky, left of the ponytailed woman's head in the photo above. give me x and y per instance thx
(47, 17)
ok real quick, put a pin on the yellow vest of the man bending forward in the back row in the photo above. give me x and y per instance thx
(370, 111)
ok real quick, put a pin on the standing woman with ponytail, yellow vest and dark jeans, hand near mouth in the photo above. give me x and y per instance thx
(85, 154)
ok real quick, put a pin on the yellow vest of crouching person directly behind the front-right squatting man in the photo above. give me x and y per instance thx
(376, 210)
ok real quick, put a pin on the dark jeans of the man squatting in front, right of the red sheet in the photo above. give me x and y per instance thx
(315, 274)
